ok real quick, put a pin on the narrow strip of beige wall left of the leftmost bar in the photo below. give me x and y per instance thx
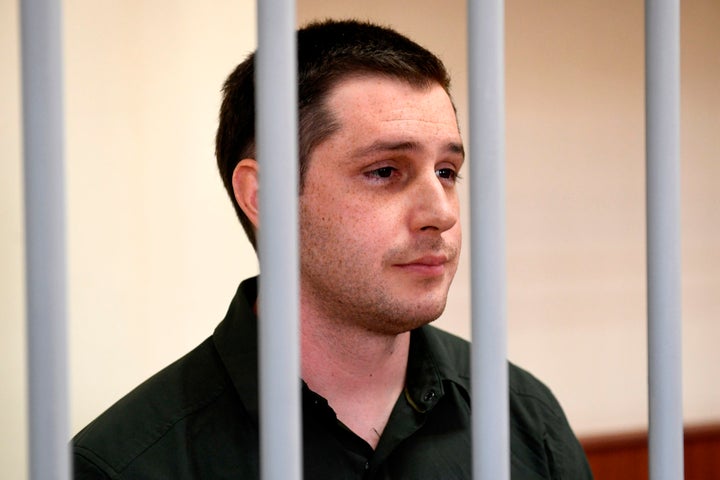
(12, 309)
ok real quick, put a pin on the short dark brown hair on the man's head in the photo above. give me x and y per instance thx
(328, 52)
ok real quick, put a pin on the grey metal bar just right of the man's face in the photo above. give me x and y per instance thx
(491, 443)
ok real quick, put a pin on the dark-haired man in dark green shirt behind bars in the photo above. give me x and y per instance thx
(385, 395)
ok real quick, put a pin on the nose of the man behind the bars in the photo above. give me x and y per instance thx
(434, 204)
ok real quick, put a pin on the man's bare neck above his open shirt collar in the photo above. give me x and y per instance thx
(360, 373)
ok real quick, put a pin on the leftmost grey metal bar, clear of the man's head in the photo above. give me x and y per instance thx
(44, 178)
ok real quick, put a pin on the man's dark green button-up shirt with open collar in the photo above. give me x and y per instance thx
(198, 418)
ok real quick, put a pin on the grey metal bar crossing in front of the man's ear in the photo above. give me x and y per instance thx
(276, 85)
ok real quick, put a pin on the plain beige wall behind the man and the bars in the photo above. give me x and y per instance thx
(155, 252)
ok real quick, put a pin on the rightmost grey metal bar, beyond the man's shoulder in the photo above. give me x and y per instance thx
(662, 86)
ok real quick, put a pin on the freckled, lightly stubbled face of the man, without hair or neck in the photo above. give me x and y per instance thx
(379, 213)
